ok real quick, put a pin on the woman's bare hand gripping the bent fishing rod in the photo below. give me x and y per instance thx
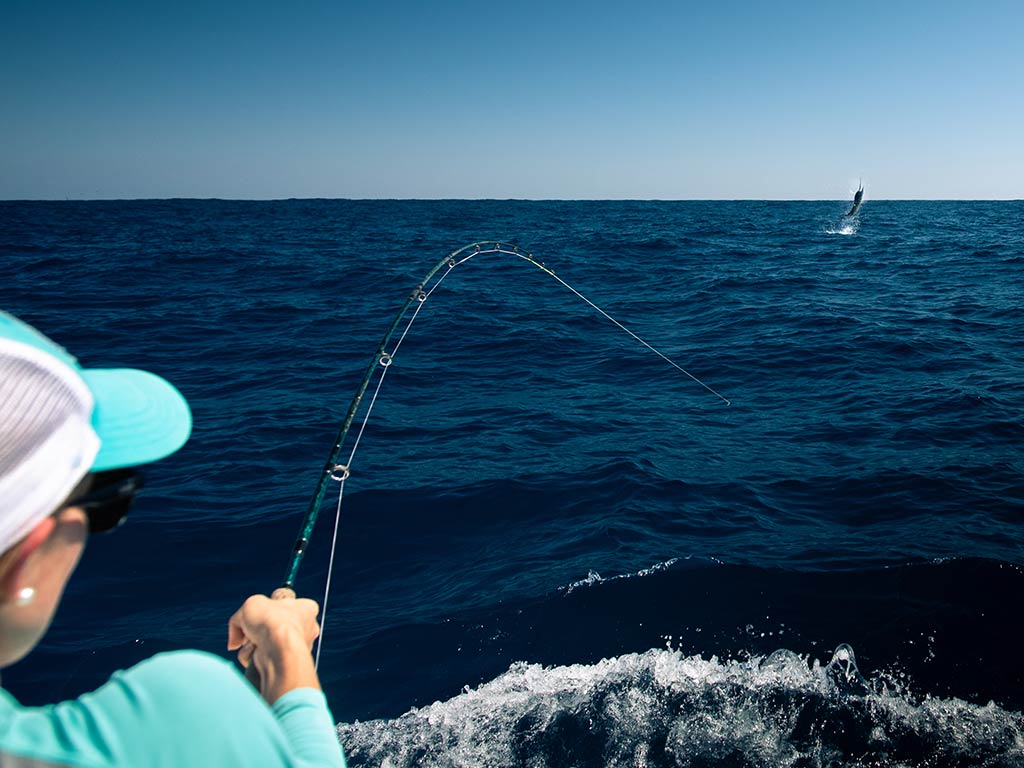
(276, 637)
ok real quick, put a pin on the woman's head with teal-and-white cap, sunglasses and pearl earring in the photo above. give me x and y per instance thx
(64, 429)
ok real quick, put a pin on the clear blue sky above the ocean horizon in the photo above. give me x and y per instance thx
(552, 100)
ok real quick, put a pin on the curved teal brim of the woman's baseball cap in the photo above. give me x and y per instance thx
(139, 416)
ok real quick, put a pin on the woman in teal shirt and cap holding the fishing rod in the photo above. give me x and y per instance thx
(69, 439)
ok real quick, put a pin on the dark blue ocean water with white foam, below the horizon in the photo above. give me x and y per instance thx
(557, 549)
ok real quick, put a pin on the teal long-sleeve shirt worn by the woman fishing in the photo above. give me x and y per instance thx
(176, 710)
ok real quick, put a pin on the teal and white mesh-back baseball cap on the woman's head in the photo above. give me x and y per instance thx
(60, 421)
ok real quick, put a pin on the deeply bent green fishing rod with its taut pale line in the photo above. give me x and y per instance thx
(339, 473)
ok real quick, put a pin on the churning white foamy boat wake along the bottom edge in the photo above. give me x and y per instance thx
(662, 708)
